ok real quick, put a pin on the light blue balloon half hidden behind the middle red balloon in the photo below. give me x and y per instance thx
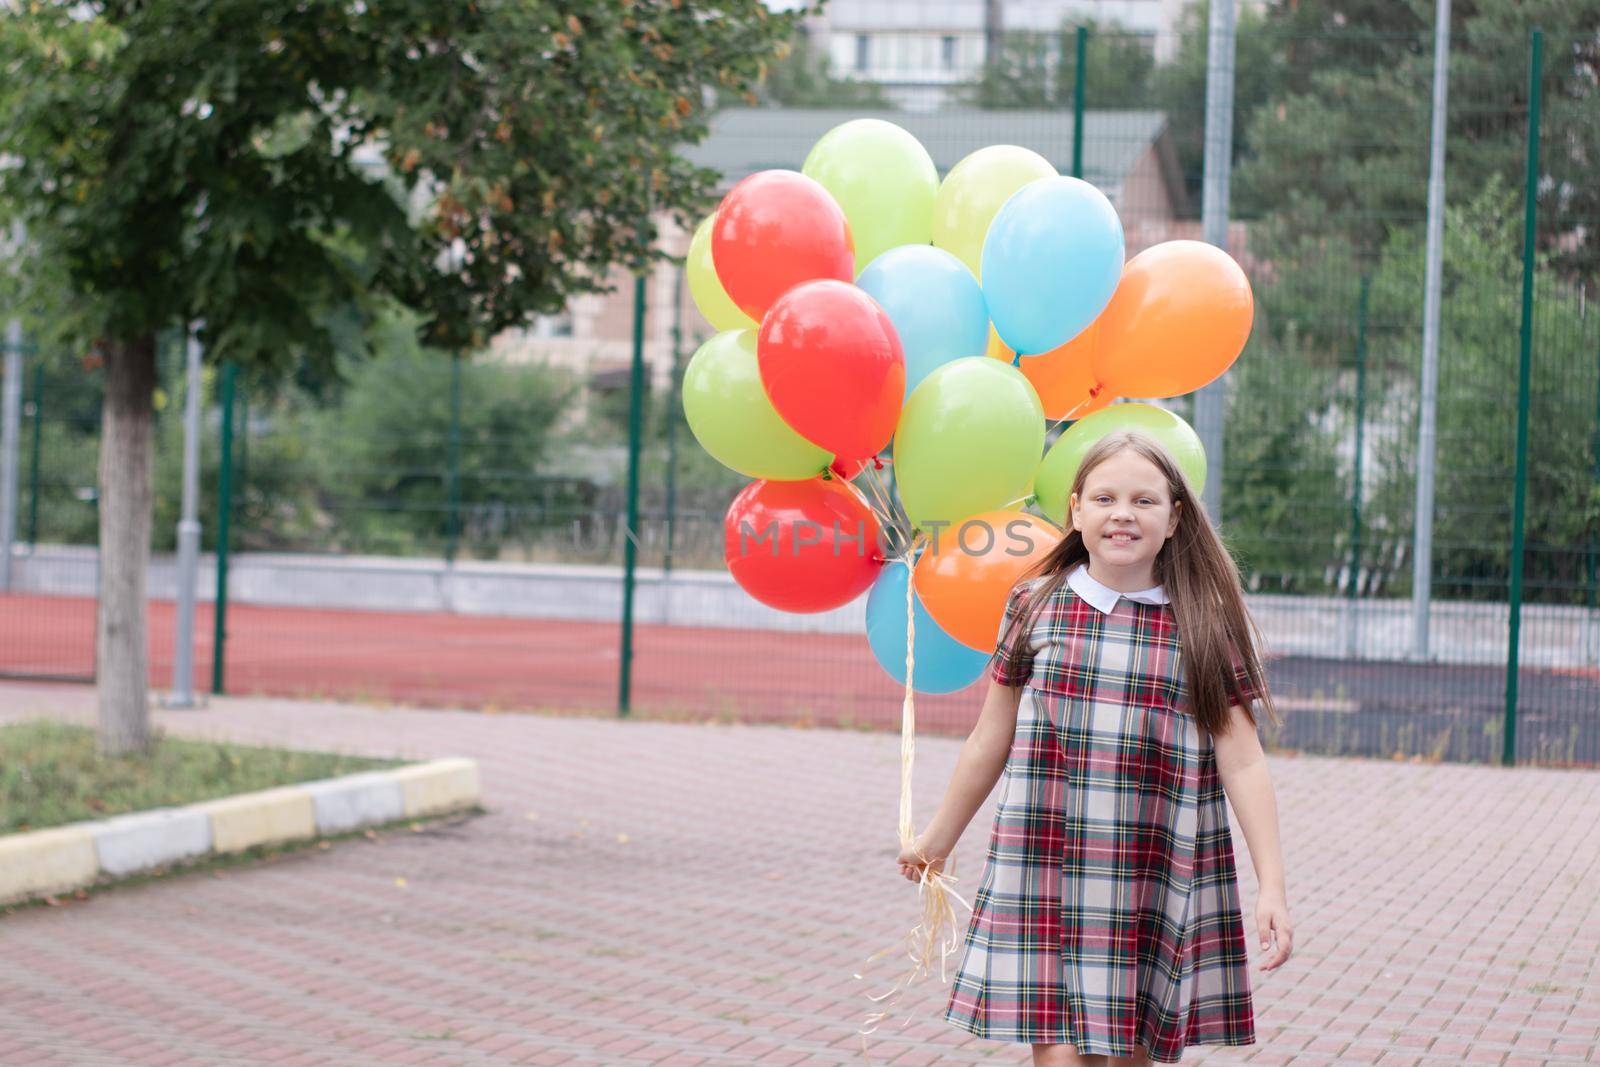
(935, 303)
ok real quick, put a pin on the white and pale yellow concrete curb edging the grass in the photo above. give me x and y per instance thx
(79, 855)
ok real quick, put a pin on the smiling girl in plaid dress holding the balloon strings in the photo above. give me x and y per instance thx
(1106, 929)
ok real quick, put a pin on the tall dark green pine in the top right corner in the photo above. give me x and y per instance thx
(1342, 137)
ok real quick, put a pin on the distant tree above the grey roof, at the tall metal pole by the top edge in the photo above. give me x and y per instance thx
(1041, 70)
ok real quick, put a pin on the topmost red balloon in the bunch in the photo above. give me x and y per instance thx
(774, 231)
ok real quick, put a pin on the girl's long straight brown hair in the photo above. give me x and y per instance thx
(1199, 578)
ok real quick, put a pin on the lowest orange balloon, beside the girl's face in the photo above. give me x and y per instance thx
(966, 578)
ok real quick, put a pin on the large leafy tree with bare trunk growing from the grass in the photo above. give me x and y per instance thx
(225, 161)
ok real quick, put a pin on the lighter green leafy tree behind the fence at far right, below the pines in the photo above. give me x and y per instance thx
(1478, 409)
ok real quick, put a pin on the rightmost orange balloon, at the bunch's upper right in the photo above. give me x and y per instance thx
(1178, 319)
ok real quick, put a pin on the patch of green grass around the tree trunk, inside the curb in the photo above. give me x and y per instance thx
(52, 775)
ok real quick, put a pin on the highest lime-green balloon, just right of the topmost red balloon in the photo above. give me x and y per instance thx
(884, 182)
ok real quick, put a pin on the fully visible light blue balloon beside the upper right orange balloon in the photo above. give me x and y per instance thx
(1052, 260)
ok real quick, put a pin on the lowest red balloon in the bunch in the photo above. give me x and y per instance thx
(802, 546)
